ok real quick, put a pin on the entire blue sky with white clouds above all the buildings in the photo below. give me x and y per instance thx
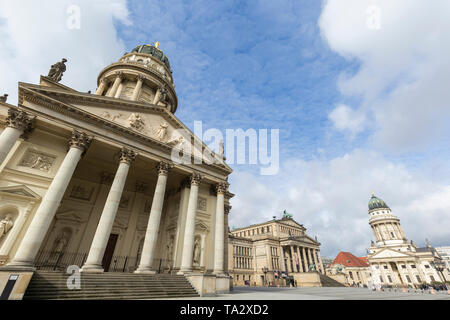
(361, 103)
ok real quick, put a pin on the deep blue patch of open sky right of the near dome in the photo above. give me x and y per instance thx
(248, 65)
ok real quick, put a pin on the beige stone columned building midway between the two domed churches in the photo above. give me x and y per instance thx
(273, 252)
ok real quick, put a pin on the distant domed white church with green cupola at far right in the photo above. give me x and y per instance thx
(395, 261)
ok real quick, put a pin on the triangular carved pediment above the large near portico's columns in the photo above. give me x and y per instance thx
(152, 122)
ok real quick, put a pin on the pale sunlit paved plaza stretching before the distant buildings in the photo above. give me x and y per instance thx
(323, 293)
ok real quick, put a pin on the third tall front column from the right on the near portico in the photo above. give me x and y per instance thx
(151, 235)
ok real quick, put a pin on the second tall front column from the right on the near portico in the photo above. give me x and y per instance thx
(189, 233)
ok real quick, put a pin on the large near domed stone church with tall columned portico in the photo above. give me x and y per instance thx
(111, 182)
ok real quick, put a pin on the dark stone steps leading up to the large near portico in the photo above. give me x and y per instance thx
(110, 286)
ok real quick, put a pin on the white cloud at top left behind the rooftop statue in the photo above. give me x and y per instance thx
(35, 35)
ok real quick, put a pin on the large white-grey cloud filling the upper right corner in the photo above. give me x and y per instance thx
(404, 68)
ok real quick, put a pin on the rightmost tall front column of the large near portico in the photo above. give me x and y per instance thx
(220, 228)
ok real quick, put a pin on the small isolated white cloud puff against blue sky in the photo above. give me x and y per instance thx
(346, 119)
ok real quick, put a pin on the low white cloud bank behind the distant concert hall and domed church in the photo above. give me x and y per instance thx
(330, 198)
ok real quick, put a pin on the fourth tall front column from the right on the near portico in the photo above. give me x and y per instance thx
(94, 260)
